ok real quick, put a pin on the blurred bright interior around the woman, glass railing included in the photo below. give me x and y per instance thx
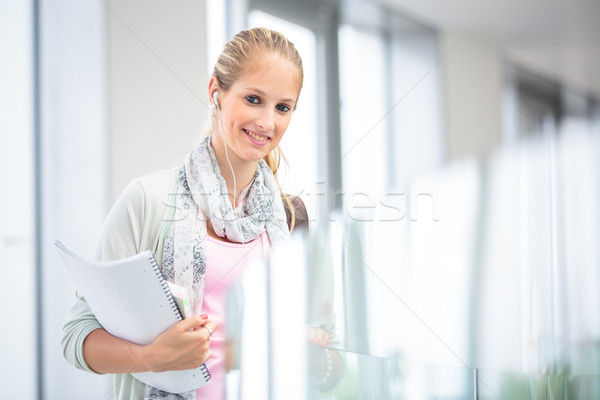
(449, 151)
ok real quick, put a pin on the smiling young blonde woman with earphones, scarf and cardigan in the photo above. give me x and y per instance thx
(203, 220)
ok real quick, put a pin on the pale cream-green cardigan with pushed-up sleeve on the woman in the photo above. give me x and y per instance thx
(139, 220)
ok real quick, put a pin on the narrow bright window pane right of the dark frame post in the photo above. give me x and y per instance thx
(362, 87)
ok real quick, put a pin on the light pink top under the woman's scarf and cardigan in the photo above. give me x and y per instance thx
(224, 263)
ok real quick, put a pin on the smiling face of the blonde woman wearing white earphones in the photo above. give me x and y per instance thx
(257, 108)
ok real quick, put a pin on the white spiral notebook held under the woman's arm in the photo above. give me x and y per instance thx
(131, 300)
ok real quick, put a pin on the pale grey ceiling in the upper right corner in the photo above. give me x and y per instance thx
(557, 39)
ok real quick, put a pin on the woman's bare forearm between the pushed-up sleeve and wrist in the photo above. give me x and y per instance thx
(106, 353)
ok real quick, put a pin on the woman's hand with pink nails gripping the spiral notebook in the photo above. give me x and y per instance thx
(185, 345)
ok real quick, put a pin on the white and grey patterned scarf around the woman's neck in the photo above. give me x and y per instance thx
(201, 196)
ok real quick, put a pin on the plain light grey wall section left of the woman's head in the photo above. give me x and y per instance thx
(158, 84)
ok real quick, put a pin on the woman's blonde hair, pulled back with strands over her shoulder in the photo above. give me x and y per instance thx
(237, 54)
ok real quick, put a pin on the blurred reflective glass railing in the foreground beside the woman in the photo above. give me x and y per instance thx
(486, 287)
